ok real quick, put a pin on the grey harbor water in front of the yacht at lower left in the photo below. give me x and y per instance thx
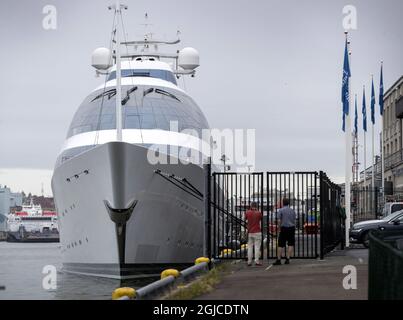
(21, 275)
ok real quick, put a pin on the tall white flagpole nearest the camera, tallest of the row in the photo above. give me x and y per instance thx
(348, 168)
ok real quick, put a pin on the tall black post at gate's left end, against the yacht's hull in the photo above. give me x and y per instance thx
(207, 208)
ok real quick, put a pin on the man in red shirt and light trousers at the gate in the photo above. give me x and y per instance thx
(254, 219)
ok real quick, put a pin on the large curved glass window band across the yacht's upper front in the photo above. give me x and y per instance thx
(156, 110)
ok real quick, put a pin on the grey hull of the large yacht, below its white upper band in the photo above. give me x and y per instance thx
(119, 219)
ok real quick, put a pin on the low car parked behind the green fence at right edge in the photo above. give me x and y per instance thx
(360, 231)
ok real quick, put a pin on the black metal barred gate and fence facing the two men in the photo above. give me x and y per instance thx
(314, 198)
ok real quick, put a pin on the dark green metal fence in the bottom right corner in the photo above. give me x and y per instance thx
(385, 280)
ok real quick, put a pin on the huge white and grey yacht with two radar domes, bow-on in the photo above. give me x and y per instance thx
(121, 214)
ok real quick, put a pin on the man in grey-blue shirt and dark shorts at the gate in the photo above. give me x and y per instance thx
(287, 218)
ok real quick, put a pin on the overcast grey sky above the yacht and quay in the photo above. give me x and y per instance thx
(275, 66)
